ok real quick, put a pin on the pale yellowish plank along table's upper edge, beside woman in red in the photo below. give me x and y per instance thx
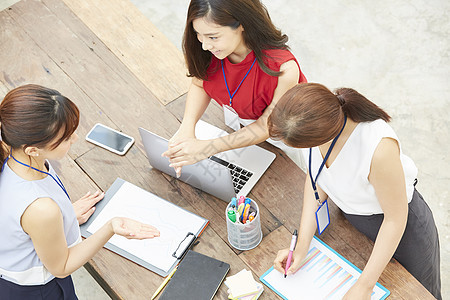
(137, 43)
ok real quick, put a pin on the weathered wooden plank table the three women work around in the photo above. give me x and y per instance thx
(121, 71)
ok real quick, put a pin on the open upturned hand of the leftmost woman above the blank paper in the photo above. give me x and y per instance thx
(132, 229)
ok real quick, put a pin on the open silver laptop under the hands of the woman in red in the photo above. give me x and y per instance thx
(225, 175)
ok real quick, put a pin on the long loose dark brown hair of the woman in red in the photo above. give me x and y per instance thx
(259, 32)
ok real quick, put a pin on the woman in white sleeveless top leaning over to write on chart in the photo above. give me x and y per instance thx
(368, 177)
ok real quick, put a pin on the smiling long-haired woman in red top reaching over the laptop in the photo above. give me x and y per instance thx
(237, 57)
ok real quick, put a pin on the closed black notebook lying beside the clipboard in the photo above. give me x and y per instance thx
(198, 277)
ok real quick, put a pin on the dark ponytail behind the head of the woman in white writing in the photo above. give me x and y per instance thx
(359, 108)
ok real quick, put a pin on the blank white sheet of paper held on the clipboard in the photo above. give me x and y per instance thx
(172, 221)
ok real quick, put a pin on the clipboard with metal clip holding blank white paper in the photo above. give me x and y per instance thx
(168, 250)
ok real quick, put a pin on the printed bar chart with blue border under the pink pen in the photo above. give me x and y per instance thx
(323, 275)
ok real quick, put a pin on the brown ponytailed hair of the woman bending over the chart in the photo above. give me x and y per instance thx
(309, 114)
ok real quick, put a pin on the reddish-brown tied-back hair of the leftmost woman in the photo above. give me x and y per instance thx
(32, 115)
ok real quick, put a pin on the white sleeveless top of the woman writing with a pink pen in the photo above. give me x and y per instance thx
(346, 181)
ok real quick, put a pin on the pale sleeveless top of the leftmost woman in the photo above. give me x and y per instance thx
(19, 262)
